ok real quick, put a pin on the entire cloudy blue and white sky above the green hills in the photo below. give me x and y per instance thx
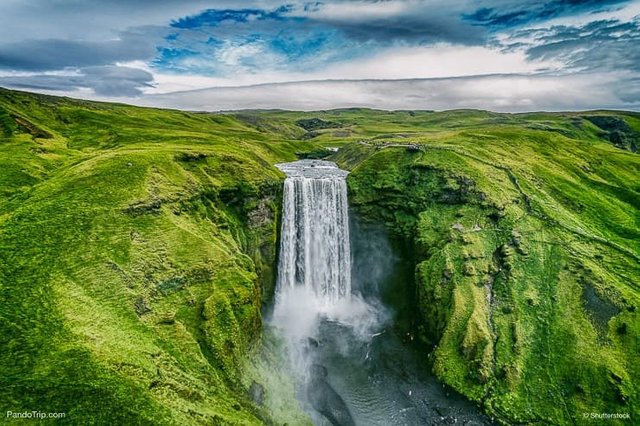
(500, 55)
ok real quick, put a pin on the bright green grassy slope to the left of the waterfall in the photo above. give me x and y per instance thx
(133, 246)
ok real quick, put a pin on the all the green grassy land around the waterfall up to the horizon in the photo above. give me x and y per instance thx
(137, 246)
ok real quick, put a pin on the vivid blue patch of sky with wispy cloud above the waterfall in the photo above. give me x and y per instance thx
(251, 41)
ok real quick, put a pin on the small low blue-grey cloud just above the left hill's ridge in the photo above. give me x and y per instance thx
(110, 81)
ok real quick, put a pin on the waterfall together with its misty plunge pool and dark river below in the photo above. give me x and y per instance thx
(336, 306)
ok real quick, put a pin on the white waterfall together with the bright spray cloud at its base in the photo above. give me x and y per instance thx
(314, 270)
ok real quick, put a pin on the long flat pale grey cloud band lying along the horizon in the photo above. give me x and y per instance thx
(495, 92)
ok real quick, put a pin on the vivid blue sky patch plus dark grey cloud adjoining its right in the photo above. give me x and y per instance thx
(306, 37)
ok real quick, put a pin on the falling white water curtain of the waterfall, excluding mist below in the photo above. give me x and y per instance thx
(314, 248)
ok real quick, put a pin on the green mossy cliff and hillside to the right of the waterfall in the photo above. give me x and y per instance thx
(525, 266)
